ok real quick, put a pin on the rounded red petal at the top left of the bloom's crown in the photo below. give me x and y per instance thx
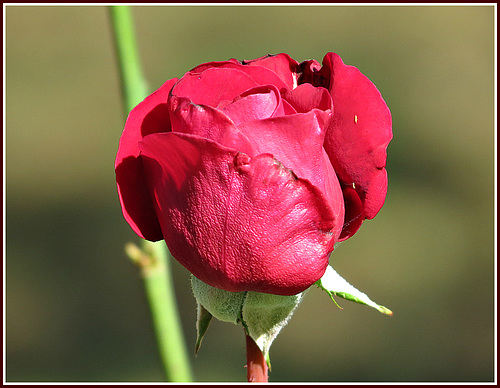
(213, 85)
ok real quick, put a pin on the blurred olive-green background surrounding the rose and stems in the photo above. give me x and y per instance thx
(75, 307)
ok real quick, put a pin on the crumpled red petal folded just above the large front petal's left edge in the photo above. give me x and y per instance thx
(205, 121)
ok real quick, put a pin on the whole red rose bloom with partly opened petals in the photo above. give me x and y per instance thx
(252, 171)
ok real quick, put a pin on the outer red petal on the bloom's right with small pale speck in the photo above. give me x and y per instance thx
(359, 133)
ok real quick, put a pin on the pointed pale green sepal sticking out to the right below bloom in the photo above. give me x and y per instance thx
(334, 284)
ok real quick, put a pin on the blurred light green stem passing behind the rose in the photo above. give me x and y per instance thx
(154, 257)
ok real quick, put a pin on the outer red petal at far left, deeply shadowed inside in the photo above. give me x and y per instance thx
(150, 116)
